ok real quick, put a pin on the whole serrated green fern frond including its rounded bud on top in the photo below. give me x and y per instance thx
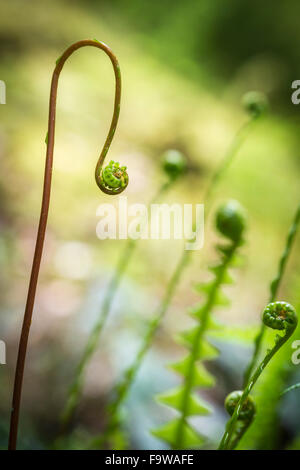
(178, 433)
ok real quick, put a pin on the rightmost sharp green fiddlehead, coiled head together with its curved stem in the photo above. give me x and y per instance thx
(279, 316)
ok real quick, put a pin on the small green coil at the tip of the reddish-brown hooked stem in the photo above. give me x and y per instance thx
(113, 178)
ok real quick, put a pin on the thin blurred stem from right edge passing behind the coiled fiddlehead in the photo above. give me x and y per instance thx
(274, 286)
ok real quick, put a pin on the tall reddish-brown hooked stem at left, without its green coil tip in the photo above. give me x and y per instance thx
(44, 214)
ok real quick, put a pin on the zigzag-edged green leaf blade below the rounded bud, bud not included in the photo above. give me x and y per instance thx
(178, 433)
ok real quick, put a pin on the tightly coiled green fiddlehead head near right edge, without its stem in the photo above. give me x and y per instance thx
(280, 316)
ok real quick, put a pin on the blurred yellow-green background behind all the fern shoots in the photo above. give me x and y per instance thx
(185, 66)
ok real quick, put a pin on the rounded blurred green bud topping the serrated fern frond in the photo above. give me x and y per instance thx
(231, 220)
